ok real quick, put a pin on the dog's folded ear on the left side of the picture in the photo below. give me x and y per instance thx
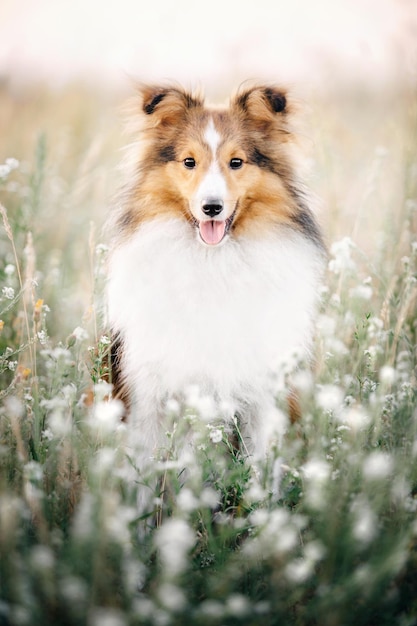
(165, 105)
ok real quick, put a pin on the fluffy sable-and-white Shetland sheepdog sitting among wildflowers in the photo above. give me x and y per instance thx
(216, 262)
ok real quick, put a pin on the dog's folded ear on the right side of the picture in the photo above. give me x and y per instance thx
(264, 104)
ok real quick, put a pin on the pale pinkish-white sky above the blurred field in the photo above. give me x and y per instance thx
(209, 43)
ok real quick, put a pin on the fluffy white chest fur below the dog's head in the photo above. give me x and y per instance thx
(221, 318)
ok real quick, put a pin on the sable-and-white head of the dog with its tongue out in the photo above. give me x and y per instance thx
(228, 170)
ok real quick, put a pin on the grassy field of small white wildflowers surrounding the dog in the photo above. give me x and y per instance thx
(325, 534)
